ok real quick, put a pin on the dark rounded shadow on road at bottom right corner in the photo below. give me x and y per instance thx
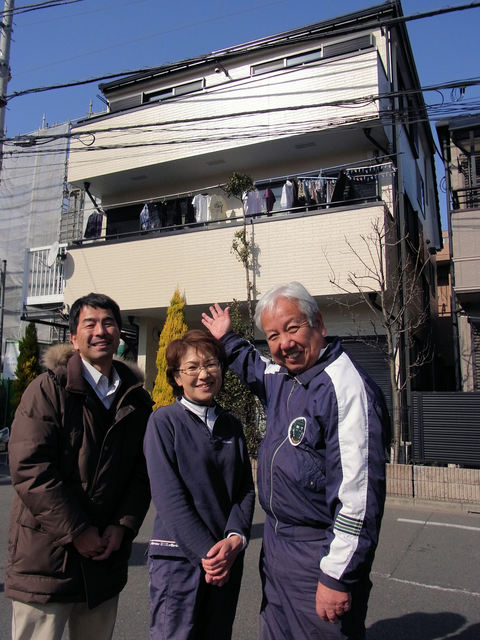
(423, 626)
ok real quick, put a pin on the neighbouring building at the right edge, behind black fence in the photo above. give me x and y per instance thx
(460, 141)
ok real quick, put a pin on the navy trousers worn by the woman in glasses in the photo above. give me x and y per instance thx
(184, 607)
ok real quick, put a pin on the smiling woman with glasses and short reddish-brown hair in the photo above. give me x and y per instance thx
(202, 488)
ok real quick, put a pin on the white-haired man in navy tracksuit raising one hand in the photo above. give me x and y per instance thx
(321, 468)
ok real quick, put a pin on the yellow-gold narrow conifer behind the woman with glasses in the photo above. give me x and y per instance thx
(174, 327)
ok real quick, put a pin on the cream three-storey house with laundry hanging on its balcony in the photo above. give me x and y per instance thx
(327, 119)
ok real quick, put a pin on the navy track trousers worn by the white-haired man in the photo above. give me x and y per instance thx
(289, 571)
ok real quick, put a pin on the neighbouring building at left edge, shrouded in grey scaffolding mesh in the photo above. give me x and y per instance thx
(39, 216)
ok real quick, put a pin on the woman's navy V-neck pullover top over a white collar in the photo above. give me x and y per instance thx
(201, 481)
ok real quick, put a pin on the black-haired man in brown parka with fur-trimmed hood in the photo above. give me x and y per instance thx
(82, 489)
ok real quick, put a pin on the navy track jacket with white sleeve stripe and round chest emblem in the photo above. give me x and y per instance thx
(321, 465)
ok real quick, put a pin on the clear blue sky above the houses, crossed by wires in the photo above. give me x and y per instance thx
(92, 38)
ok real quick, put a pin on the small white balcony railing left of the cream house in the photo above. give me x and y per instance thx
(43, 275)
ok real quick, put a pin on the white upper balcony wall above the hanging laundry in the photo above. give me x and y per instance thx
(270, 124)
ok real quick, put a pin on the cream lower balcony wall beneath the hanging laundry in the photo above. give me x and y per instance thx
(141, 272)
